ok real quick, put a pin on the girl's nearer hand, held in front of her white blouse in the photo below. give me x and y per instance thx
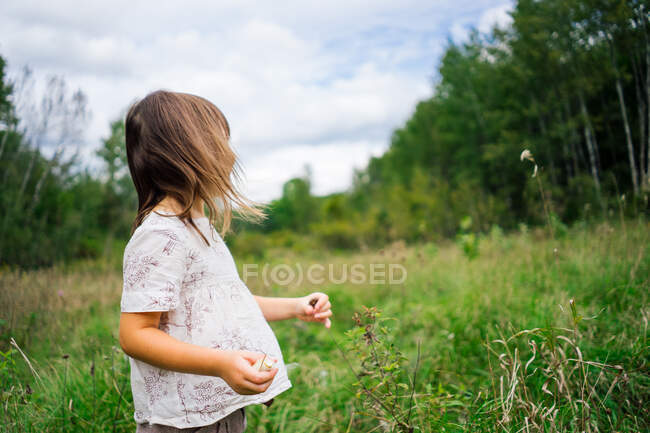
(236, 368)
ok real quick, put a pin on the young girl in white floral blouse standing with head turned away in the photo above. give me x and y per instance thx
(192, 329)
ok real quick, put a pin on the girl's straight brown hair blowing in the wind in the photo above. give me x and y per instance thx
(177, 145)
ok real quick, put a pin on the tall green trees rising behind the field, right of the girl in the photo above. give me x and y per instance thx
(567, 79)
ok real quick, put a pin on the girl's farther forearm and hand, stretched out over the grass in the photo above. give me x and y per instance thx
(315, 307)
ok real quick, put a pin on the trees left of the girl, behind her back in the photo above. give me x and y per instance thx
(53, 210)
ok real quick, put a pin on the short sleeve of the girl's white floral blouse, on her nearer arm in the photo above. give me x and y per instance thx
(153, 270)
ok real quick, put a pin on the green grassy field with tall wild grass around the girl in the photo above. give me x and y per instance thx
(532, 334)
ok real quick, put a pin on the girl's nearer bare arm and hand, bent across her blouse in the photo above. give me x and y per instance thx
(141, 339)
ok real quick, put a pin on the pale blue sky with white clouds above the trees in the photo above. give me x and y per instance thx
(318, 84)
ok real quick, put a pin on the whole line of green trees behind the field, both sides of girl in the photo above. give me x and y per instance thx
(567, 79)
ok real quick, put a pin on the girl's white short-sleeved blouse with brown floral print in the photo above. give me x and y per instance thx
(168, 267)
